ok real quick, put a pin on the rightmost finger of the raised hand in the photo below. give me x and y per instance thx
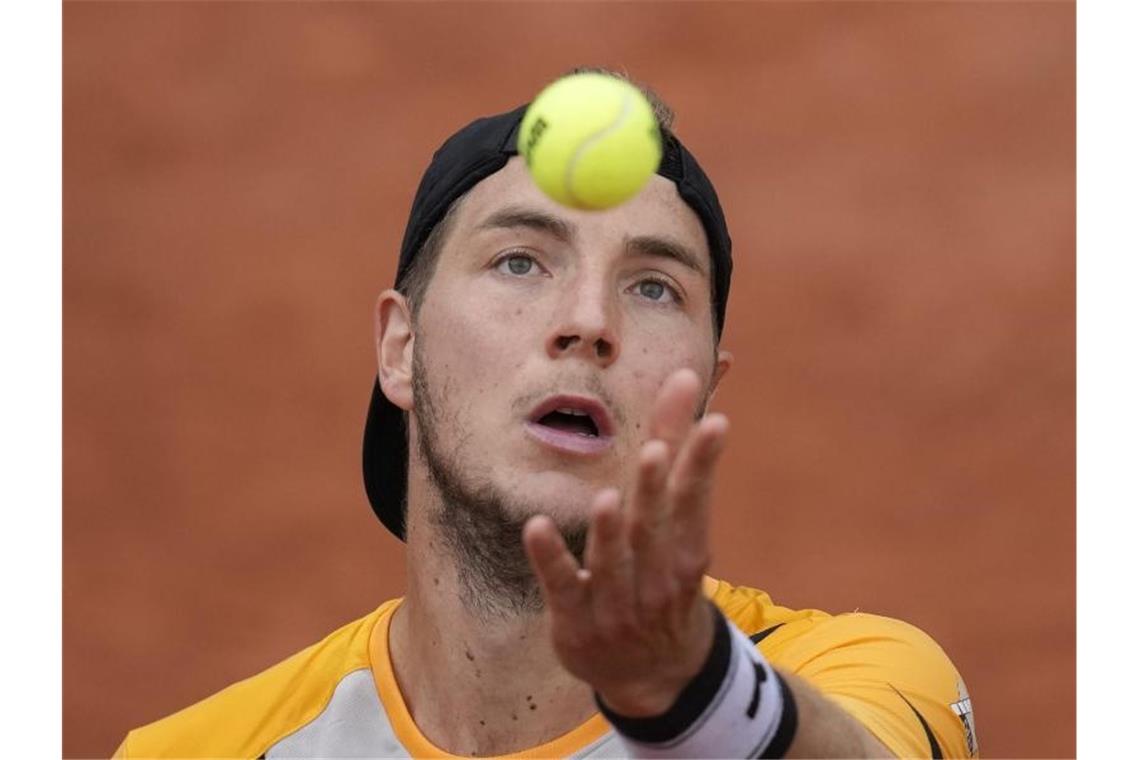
(690, 489)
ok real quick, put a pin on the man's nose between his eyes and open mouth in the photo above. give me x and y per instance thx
(585, 328)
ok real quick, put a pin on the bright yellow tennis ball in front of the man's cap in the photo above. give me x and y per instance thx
(591, 141)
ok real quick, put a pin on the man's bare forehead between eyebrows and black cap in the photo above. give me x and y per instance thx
(657, 210)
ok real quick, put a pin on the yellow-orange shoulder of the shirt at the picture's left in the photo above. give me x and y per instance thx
(246, 718)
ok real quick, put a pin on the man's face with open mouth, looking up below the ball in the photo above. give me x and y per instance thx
(547, 332)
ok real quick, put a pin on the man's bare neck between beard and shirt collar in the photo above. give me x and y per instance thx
(477, 680)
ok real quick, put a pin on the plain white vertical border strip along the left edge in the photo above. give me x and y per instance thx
(32, 459)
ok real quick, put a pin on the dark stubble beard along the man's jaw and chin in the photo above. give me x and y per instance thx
(478, 524)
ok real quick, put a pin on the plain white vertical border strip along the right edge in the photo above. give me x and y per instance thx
(1109, 381)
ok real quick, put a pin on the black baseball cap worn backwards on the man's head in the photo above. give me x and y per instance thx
(468, 158)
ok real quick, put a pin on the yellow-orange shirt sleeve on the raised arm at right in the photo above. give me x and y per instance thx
(889, 675)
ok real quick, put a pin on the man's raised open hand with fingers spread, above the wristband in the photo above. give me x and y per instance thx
(633, 623)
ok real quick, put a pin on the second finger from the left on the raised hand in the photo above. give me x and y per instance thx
(609, 562)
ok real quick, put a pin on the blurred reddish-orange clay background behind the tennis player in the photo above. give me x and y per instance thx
(900, 183)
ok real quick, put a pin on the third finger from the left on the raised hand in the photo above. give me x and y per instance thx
(650, 533)
